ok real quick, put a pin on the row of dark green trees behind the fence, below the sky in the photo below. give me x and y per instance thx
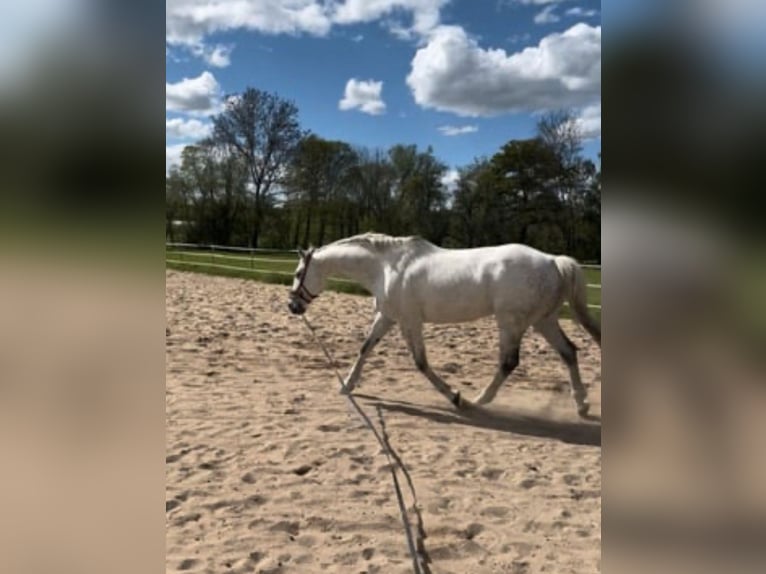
(260, 180)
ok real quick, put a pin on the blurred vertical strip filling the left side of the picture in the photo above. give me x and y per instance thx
(81, 286)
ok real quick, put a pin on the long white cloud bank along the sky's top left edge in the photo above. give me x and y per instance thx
(190, 21)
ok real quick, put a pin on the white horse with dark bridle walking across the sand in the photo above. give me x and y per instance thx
(415, 282)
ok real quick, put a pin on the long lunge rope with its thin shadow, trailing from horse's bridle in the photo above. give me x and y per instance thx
(415, 543)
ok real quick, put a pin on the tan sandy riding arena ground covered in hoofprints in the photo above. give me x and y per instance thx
(268, 469)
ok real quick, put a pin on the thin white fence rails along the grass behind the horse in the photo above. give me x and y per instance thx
(223, 253)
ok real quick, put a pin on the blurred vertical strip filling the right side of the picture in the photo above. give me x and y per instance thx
(683, 256)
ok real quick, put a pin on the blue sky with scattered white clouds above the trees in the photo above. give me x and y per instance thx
(461, 76)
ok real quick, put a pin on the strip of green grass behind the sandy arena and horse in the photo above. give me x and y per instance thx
(278, 267)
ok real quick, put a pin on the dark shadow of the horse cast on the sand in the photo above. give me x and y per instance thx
(585, 432)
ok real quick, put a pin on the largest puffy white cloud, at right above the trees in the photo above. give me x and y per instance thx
(453, 73)
